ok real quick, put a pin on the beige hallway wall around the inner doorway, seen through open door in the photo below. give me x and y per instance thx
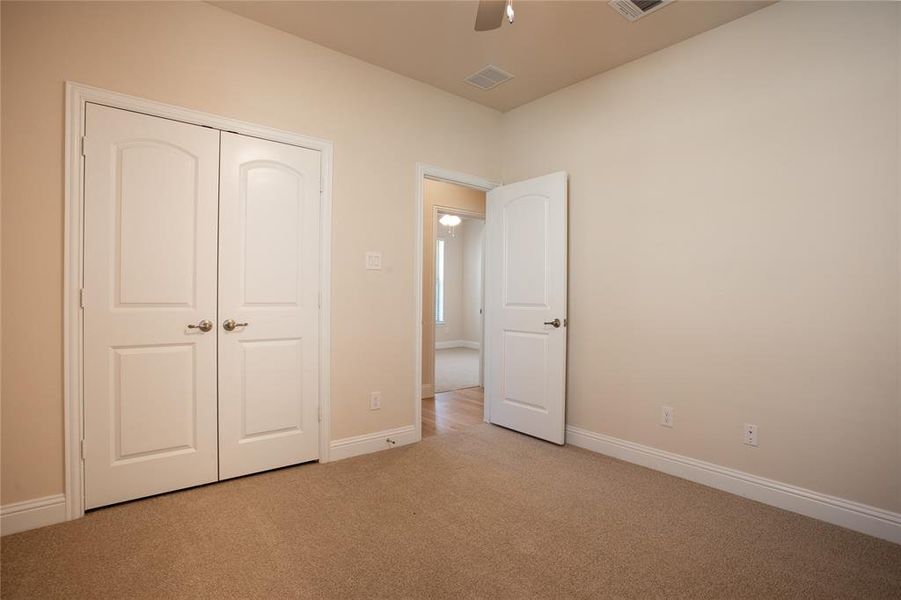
(444, 195)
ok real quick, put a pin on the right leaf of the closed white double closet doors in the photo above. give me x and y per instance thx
(269, 289)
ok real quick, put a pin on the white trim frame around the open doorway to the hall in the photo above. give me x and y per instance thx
(423, 172)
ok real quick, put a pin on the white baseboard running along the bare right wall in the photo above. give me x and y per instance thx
(838, 511)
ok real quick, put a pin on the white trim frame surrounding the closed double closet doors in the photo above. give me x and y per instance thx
(77, 96)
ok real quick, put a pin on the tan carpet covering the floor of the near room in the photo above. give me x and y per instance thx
(485, 513)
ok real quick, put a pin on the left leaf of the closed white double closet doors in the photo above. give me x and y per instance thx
(149, 274)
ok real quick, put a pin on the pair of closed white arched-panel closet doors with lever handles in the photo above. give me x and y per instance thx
(200, 304)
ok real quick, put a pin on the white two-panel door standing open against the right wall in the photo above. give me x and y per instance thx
(525, 306)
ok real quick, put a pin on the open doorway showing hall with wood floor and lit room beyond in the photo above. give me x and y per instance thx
(451, 375)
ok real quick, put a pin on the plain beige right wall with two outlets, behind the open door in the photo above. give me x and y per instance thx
(734, 244)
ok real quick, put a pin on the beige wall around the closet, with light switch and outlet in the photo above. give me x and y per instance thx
(198, 56)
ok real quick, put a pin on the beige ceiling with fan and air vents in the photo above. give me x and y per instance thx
(550, 46)
